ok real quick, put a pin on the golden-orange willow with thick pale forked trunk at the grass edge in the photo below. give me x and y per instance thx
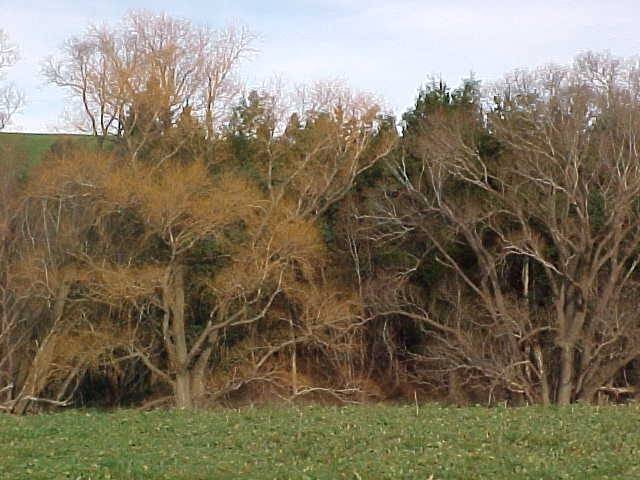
(164, 262)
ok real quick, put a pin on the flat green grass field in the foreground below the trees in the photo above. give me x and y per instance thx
(378, 442)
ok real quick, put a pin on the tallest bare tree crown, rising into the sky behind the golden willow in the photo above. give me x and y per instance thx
(134, 80)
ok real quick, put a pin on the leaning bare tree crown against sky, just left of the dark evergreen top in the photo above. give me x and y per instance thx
(317, 140)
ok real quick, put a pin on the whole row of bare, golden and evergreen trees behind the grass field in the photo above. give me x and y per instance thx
(215, 245)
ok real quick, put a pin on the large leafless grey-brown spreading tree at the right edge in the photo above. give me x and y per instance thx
(532, 208)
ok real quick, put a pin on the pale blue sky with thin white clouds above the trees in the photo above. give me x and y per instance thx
(389, 47)
